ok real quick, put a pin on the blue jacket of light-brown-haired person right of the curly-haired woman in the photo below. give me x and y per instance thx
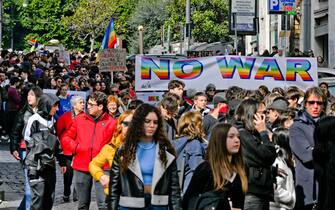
(190, 153)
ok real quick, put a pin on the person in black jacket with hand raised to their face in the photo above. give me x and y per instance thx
(259, 154)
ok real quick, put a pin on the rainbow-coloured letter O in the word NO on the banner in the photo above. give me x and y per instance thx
(178, 69)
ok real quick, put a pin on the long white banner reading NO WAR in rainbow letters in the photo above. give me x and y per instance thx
(154, 73)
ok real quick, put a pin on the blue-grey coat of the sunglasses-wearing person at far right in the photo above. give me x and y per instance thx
(302, 145)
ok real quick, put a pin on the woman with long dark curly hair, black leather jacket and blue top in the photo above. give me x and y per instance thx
(144, 171)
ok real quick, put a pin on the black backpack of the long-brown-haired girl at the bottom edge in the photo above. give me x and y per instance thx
(209, 201)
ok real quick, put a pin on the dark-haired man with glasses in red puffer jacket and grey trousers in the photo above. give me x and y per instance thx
(88, 133)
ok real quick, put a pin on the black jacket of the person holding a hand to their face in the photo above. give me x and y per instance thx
(259, 154)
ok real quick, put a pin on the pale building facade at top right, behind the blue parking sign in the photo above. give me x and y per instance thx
(308, 30)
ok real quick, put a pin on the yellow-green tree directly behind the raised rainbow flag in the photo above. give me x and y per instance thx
(91, 18)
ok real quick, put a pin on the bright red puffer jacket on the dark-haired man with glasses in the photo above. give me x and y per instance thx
(85, 138)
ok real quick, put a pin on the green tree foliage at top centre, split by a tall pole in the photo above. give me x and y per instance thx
(209, 19)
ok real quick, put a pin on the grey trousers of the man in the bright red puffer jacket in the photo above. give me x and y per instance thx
(83, 184)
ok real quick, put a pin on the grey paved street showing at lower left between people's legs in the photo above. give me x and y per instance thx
(12, 175)
